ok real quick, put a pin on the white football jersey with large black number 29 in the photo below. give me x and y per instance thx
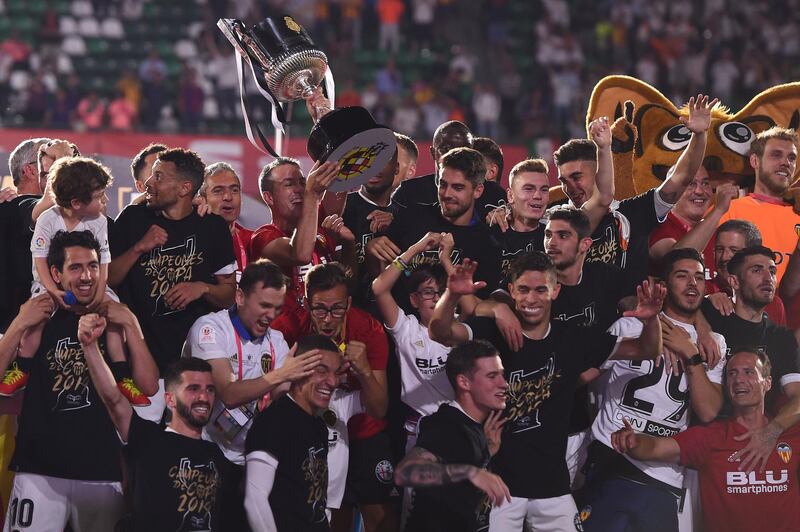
(653, 400)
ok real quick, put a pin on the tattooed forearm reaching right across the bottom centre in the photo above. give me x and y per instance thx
(421, 468)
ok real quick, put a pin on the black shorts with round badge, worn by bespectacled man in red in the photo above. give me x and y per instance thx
(370, 473)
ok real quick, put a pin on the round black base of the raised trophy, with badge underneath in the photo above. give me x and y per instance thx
(350, 136)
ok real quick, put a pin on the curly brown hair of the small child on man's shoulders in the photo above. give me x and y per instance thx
(77, 178)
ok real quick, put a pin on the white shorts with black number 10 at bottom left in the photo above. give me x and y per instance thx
(47, 504)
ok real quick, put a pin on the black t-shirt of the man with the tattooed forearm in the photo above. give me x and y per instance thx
(459, 507)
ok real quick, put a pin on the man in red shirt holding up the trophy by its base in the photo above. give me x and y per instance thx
(295, 240)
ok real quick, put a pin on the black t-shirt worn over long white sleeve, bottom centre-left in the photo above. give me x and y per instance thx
(300, 444)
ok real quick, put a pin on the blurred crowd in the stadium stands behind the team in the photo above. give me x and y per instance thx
(514, 70)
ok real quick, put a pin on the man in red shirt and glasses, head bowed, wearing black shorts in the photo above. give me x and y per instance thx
(328, 311)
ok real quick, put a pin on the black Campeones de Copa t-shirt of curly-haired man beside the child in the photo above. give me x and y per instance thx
(196, 248)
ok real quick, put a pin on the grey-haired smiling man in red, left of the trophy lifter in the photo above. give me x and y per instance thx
(222, 192)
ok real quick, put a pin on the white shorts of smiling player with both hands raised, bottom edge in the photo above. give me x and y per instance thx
(557, 514)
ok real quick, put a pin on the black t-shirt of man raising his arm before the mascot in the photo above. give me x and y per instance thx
(622, 237)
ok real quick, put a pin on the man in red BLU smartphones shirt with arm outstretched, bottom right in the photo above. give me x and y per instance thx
(734, 500)
